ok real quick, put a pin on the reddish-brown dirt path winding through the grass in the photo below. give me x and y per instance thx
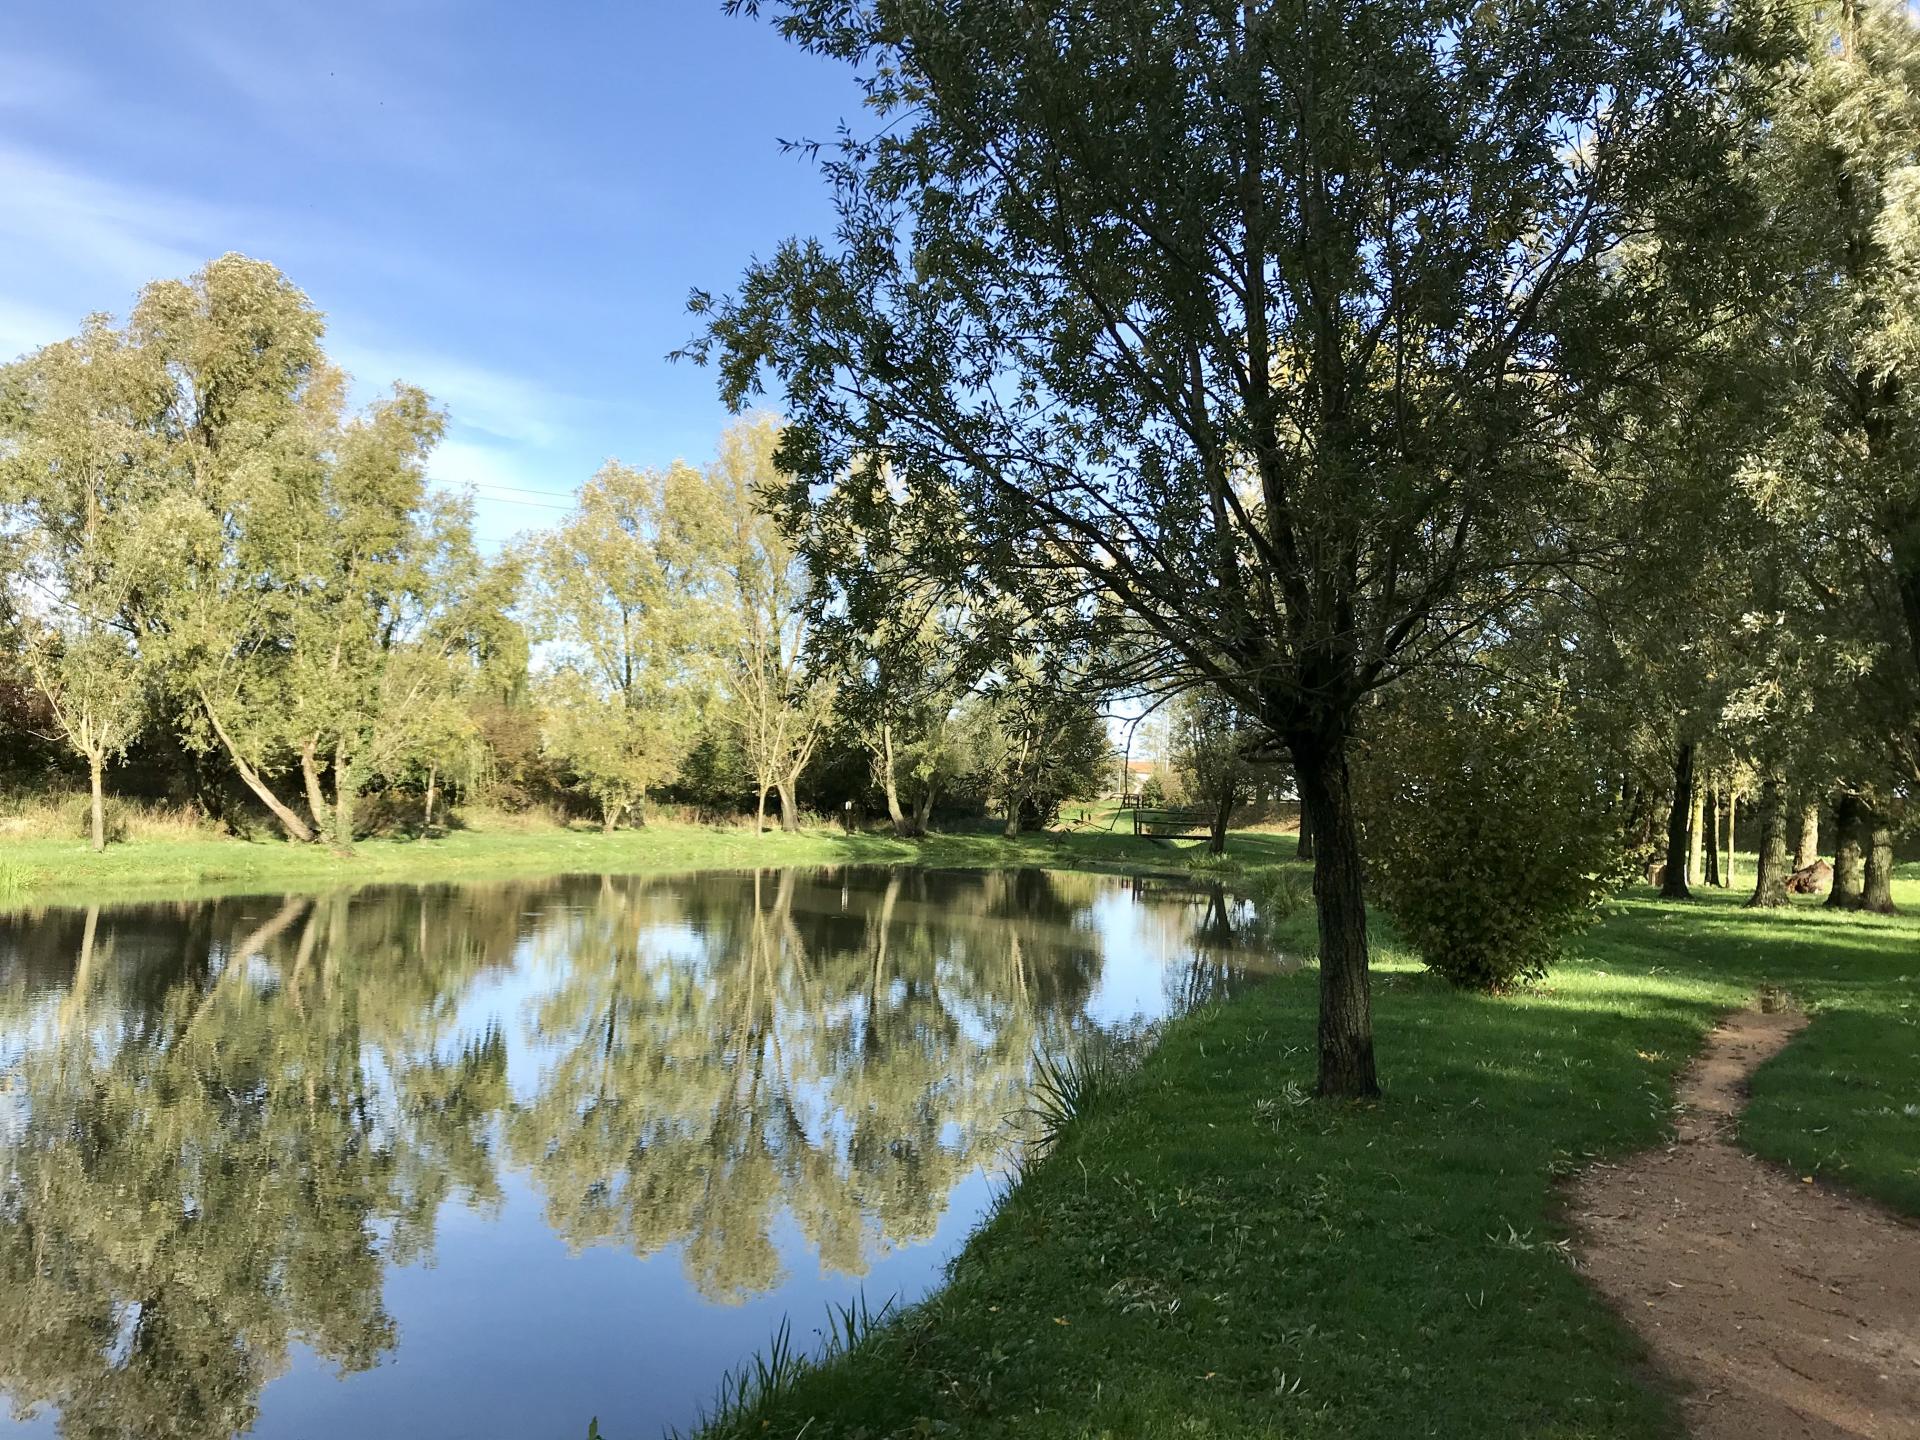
(1787, 1308)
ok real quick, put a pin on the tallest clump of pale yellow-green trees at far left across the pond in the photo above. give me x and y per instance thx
(201, 521)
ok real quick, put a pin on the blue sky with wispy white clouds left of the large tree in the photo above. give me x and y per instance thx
(500, 203)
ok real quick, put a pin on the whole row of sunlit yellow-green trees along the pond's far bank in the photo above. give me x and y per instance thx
(252, 598)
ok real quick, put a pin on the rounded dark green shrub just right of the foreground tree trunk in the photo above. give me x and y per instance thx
(1489, 832)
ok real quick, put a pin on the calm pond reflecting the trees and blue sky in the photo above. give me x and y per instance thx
(494, 1161)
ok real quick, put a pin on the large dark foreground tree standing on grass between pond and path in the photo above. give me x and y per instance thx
(1264, 322)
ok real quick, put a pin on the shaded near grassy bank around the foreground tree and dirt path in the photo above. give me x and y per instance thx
(1212, 1255)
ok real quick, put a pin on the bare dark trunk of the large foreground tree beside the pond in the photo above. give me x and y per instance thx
(1339, 901)
